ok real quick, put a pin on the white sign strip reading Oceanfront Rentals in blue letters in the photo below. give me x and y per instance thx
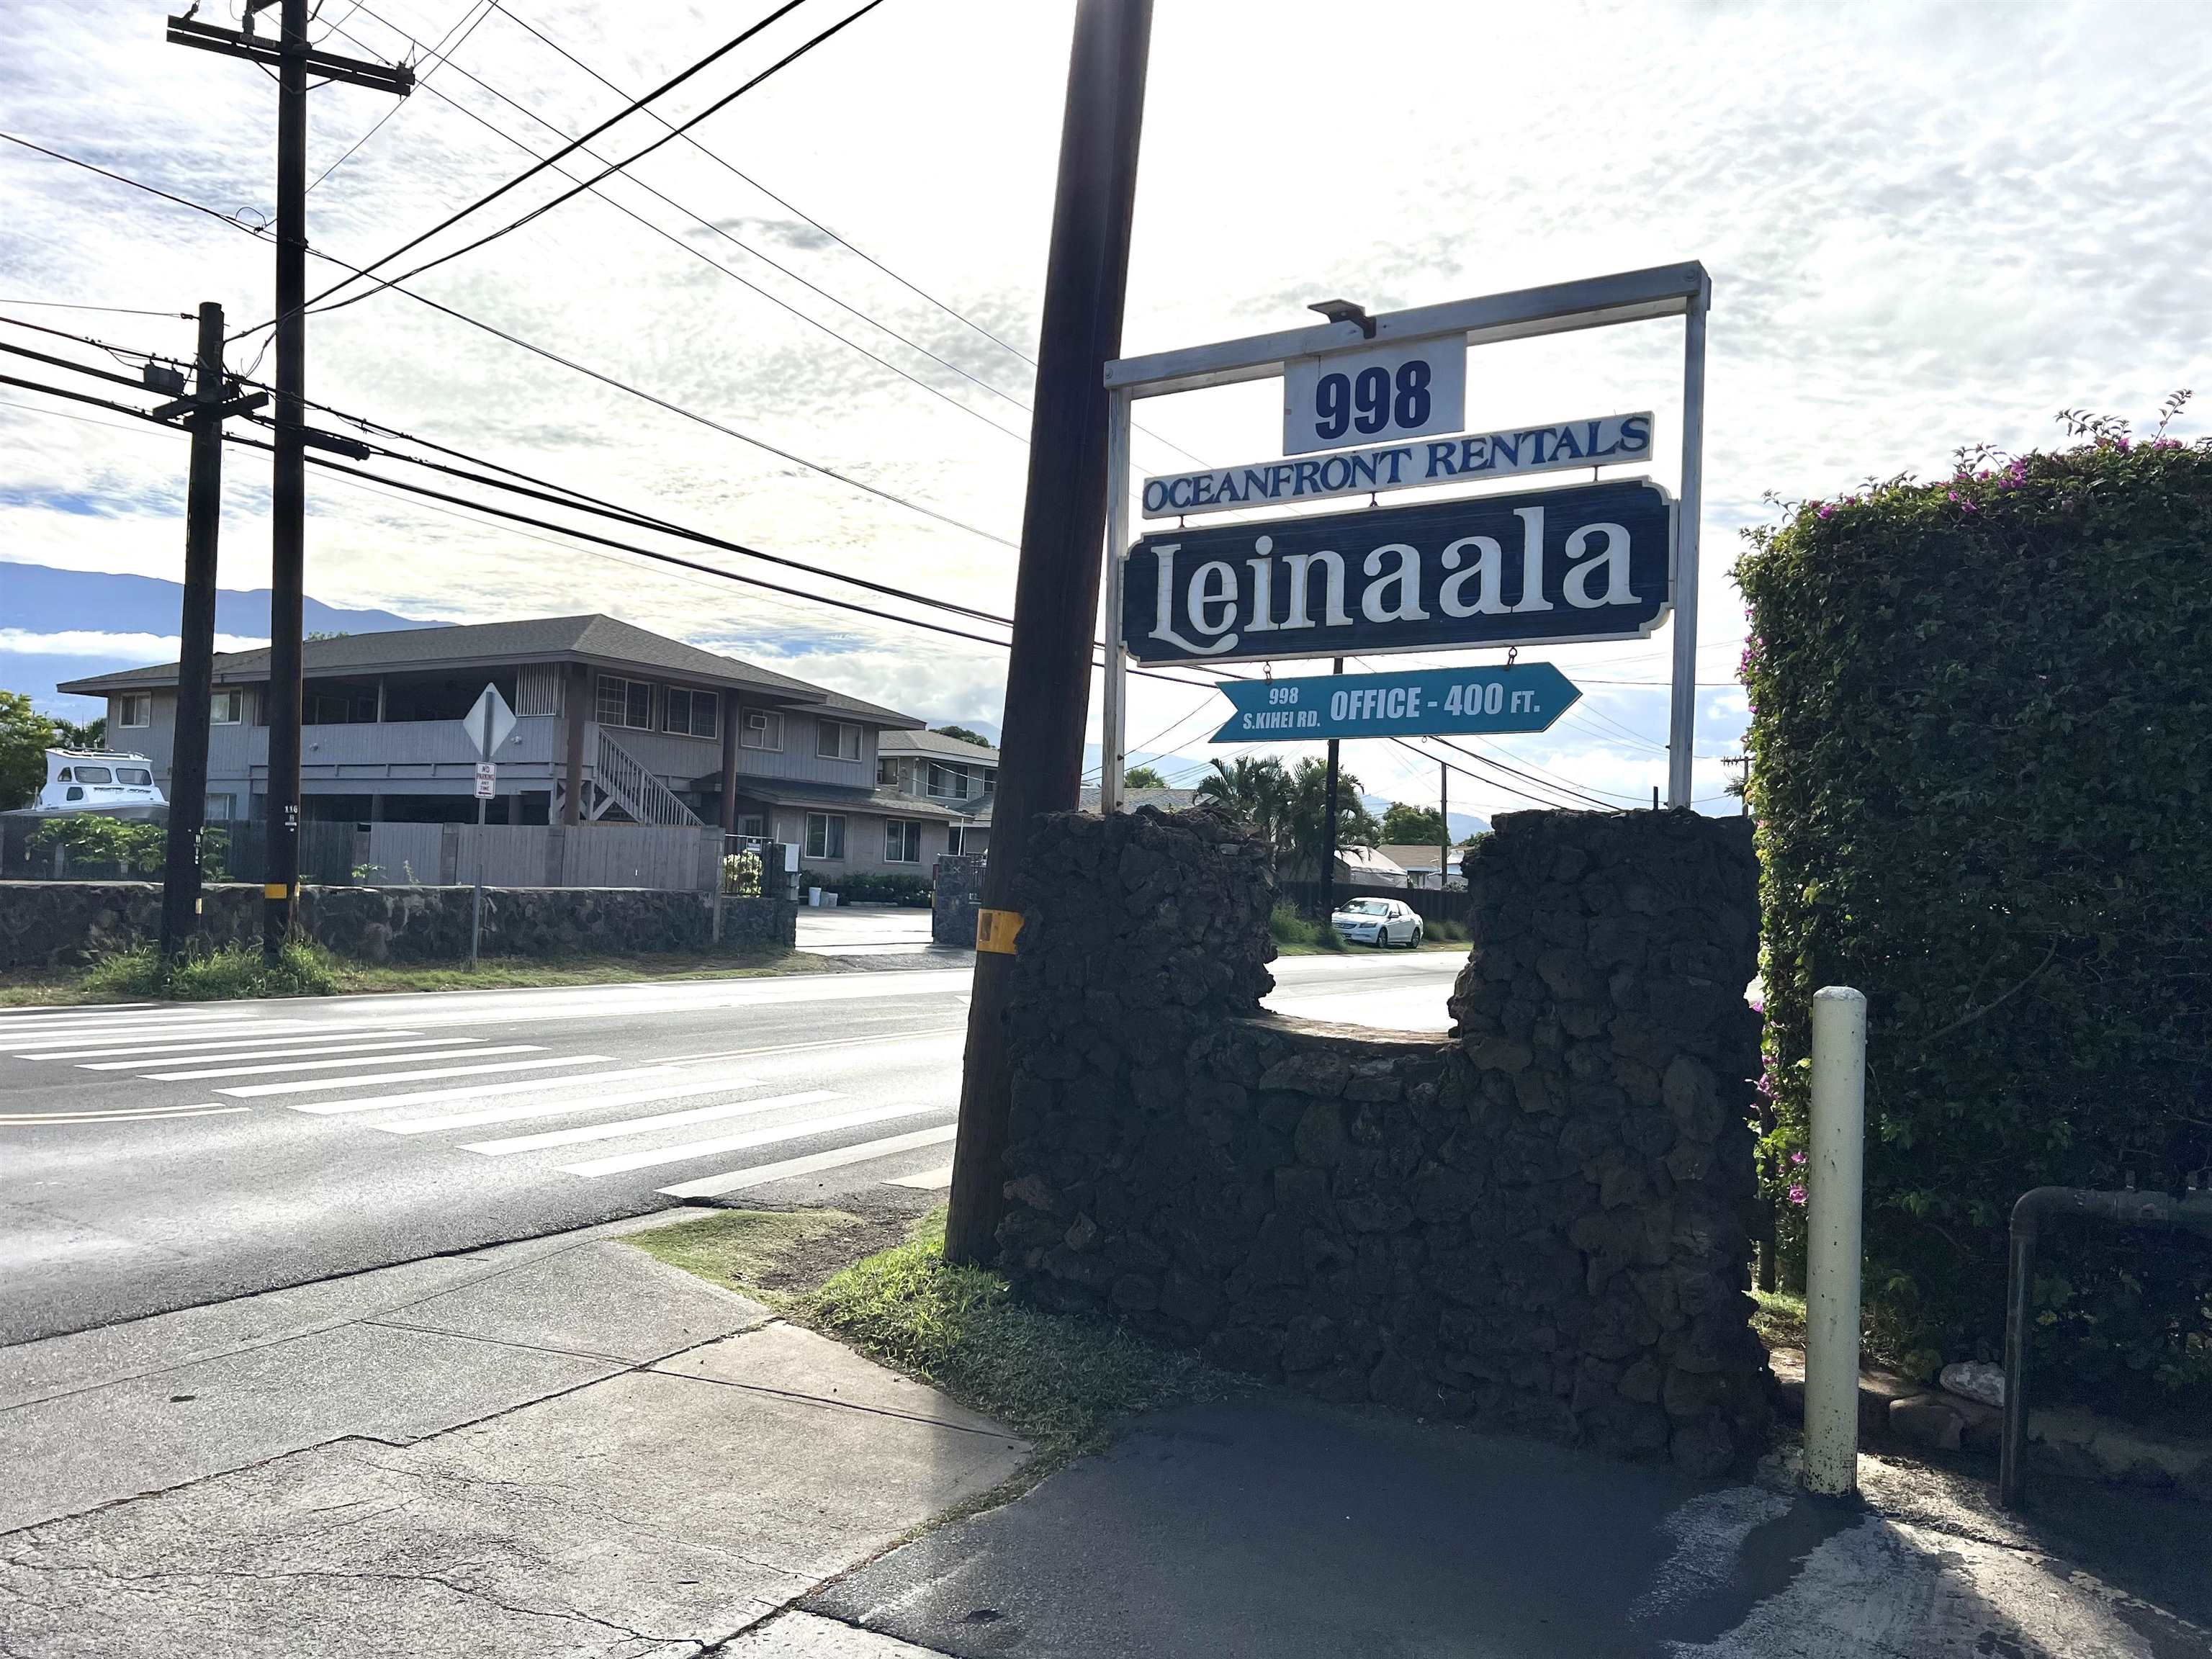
(1465, 459)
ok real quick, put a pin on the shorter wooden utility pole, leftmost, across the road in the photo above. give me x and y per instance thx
(207, 410)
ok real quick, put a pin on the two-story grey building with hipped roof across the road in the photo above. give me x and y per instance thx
(614, 724)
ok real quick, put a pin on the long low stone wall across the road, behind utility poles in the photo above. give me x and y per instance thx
(65, 924)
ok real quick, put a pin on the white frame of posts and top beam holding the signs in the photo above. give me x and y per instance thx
(1556, 309)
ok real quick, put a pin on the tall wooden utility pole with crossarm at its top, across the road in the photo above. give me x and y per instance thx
(289, 492)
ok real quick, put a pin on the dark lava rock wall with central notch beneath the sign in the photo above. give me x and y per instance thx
(1536, 1224)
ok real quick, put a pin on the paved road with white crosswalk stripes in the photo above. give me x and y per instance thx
(171, 1156)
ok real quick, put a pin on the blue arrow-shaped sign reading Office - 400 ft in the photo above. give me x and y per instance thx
(1428, 702)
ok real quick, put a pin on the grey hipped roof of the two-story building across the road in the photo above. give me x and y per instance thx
(592, 640)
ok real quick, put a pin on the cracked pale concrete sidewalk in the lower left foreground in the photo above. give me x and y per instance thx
(554, 1448)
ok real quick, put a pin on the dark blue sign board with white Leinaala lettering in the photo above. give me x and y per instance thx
(1534, 567)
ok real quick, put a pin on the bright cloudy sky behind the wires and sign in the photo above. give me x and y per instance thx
(1926, 227)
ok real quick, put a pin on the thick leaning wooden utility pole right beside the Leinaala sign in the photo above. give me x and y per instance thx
(1058, 581)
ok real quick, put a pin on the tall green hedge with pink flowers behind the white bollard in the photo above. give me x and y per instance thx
(1983, 773)
